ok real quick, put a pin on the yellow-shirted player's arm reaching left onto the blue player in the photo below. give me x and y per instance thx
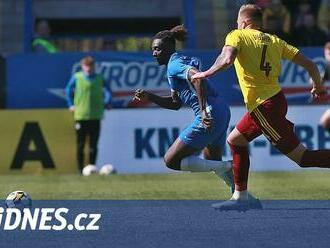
(223, 61)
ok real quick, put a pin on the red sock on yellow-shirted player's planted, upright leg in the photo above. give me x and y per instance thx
(241, 165)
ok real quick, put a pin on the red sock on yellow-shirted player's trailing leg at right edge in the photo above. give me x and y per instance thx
(318, 158)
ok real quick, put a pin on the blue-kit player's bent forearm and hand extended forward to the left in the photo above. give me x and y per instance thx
(168, 102)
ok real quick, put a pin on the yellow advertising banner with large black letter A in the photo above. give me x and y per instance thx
(37, 141)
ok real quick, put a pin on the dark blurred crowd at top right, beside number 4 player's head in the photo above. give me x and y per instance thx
(299, 22)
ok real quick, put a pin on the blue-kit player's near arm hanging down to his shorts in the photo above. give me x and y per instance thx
(200, 86)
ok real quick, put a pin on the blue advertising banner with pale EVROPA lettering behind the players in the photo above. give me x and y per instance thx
(38, 81)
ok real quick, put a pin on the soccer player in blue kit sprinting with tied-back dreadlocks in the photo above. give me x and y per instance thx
(208, 130)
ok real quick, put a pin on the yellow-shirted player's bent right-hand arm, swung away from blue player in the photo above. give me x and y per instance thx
(318, 89)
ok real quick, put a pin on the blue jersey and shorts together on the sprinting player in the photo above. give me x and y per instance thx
(195, 135)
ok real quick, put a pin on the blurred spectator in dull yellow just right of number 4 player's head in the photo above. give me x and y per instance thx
(276, 10)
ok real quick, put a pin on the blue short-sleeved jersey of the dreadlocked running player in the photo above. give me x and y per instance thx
(177, 74)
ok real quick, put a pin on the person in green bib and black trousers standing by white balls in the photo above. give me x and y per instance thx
(87, 96)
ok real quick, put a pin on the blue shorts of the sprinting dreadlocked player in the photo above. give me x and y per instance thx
(197, 136)
